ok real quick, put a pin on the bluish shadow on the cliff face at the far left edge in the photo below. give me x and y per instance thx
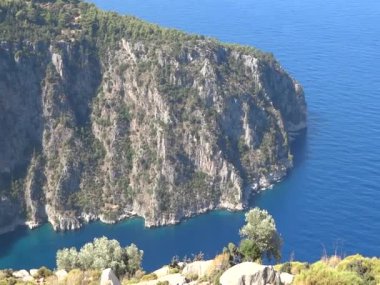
(21, 122)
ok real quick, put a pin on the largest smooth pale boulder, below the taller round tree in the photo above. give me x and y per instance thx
(250, 273)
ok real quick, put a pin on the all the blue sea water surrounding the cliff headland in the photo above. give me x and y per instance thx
(331, 200)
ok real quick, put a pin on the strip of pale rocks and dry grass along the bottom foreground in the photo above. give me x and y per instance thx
(193, 273)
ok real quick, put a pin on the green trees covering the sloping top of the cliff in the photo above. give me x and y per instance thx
(48, 20)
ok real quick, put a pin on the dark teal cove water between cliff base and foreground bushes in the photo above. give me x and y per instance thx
(26, 248)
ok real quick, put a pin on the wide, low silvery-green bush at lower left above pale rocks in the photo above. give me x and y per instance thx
(102, 253)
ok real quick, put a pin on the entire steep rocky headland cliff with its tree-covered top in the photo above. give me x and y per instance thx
(104, 116)
